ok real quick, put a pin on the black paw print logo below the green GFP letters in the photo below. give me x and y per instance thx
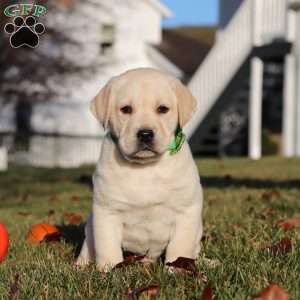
(24, 32)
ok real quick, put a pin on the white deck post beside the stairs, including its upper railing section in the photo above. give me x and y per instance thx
(256, 86)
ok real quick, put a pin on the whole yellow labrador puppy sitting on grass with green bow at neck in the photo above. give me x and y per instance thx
(147, 194)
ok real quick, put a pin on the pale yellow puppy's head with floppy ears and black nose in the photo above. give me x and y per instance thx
(142, 108)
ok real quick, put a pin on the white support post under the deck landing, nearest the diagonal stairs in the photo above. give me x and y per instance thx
(255, 108)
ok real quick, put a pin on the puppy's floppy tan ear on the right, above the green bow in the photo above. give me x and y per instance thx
(186, 102)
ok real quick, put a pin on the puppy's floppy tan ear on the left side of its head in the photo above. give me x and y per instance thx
(101, 105)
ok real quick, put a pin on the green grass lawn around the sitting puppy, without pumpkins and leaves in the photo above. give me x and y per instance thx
(237, 228)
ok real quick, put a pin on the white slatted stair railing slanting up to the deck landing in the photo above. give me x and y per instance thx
(257, 22)
